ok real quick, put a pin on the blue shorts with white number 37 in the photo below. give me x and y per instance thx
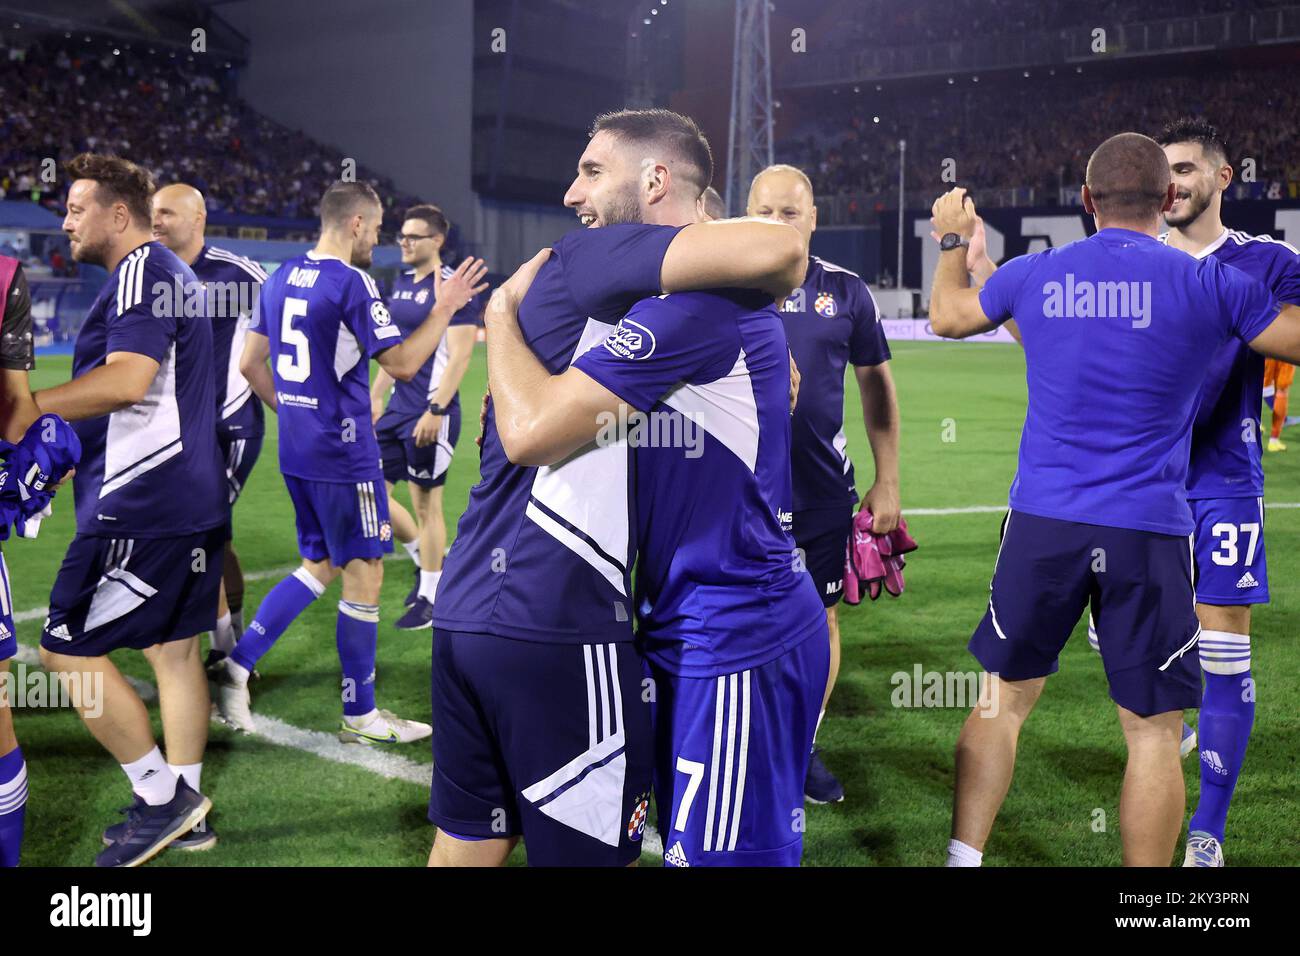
(1230, 564)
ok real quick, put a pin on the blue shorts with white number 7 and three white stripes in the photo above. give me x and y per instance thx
(733, 756)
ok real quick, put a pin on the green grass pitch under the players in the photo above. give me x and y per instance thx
(276, 806)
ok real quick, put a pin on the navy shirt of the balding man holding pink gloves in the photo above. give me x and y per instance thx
(830, 323)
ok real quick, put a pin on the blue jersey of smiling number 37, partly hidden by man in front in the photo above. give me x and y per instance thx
(1227, 461)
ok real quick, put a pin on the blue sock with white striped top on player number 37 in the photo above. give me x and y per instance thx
(1228, 715)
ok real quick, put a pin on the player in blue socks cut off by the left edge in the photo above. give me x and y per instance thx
(18, 412)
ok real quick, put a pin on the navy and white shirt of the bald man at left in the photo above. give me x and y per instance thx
(233, 284)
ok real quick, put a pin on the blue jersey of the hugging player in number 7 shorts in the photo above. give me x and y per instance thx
(718, 586)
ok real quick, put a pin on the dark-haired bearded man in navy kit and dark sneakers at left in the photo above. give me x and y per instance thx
(145, 566)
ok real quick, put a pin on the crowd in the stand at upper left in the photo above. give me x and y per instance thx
(177, 115)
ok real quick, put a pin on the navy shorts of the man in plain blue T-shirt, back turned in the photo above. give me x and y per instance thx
(1139, 586)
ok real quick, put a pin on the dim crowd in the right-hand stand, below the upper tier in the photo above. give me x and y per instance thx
(1037, 132)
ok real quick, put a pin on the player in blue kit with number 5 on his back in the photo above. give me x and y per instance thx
(319, 319)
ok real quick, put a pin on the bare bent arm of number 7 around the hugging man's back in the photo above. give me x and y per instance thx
(541, 418)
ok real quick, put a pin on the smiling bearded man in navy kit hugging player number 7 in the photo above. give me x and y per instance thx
(544, 719)
